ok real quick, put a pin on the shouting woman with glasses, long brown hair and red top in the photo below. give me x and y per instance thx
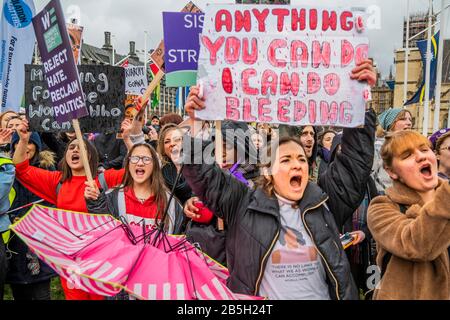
(142, 196)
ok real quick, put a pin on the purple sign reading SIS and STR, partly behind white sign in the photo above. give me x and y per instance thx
(181, 40)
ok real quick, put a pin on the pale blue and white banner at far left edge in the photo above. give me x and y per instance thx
(16, 49)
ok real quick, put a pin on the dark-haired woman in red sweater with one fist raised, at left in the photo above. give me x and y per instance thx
(63, 188)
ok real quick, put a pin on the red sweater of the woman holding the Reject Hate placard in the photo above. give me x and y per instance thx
(43, 183)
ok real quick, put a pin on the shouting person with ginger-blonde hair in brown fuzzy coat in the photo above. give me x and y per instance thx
(411, 224)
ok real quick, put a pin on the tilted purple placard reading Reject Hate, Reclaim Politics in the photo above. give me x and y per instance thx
(60, 69)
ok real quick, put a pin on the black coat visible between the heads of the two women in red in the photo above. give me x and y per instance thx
(111, 151)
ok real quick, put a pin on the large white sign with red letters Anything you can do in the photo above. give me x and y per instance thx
(282, 64)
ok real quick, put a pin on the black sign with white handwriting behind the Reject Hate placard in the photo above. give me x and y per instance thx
(104, 88)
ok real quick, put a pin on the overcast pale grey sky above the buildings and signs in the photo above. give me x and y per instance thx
(127, 21)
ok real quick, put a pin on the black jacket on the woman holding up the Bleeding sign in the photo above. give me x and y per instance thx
(253, 218)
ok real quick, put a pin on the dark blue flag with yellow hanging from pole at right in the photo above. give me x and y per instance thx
(419, 97)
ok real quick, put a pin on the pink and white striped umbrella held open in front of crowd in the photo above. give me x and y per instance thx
(100, 255)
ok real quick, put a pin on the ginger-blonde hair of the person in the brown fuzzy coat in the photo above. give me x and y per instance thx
(397, 143)
